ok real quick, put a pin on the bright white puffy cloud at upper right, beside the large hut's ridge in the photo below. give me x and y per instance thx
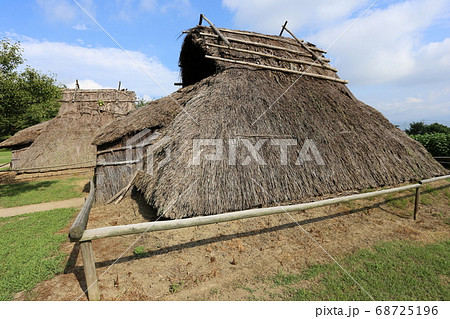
(383, 46)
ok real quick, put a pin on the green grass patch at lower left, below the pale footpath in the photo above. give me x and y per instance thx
(29, 249)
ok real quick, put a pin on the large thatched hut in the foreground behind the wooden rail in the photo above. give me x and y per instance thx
(247, 130)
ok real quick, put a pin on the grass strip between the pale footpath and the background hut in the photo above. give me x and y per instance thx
(36, 192)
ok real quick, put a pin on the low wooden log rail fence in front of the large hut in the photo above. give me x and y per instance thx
(79, 233)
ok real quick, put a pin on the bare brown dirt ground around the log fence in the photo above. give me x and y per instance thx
(220, 261)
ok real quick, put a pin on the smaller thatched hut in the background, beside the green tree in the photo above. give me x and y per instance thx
(65, 142)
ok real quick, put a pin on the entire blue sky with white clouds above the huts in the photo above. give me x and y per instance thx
(396, 56)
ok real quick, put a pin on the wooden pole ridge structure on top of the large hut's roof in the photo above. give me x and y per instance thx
(267, 52)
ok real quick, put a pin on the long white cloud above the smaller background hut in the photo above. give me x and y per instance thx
(100, 67)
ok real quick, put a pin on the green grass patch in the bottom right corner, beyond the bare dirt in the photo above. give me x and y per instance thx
(390, 271)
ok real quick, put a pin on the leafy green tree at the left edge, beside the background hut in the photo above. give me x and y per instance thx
(27, 97)
